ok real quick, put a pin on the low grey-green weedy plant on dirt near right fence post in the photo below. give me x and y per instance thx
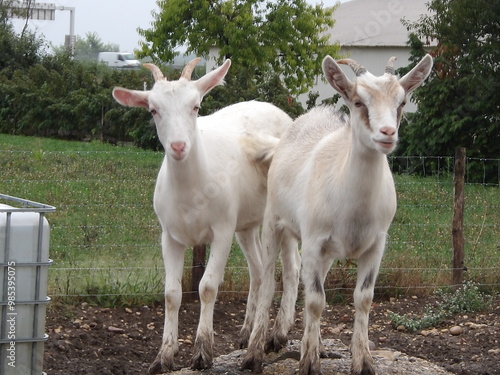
(465, 299)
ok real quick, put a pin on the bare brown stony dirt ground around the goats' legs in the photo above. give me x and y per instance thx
(87, 339)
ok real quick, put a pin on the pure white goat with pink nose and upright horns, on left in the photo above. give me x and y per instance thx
(212, 183)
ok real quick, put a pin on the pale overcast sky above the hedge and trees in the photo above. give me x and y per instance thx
(115, 21)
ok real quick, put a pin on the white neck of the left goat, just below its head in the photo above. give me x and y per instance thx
(192, 171)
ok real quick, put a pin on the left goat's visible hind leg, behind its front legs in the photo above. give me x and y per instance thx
(250, 243)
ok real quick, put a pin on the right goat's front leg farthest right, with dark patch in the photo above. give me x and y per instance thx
(368, 267)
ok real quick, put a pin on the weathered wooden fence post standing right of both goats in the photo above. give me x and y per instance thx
(458, 218)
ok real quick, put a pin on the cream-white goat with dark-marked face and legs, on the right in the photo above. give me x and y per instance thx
(330, 185)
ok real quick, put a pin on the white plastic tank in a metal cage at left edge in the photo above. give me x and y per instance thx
(24, 261)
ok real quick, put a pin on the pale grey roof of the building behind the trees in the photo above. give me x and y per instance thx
(375, 23)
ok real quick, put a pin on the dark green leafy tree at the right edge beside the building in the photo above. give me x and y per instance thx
(460, 105)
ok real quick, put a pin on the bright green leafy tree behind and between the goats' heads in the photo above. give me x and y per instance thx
(265, 39)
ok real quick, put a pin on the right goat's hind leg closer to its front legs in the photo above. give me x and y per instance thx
(291, 260)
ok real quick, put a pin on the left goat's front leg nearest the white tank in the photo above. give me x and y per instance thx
(173, 258)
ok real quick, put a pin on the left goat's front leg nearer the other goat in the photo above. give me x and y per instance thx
(209, 285)
